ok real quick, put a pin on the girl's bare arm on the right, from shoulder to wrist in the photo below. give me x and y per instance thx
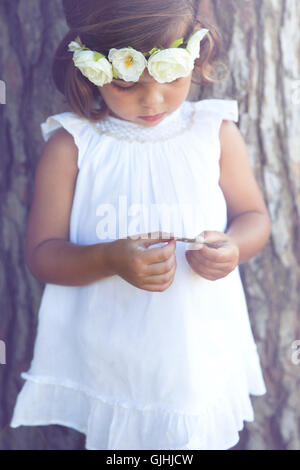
(248, 218)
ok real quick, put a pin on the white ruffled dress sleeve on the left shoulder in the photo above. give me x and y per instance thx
(75, 125)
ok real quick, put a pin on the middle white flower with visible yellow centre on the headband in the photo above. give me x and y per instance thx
(127, 63)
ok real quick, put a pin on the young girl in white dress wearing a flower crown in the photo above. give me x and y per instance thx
(143, 340)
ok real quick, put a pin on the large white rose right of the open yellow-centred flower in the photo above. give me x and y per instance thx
(169, 64)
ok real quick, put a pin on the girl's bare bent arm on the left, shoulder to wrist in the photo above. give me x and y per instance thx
(50, 257)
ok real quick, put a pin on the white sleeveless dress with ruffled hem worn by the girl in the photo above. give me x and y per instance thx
(129, 368)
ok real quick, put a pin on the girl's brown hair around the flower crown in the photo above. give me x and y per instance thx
(141, 24)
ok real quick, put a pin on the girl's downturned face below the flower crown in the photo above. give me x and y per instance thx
(131, 101)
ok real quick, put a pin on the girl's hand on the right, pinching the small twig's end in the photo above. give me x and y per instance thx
(213, 263)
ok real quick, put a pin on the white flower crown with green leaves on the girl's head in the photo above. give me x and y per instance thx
(164, 65)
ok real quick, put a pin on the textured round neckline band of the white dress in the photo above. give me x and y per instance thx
(172, 125)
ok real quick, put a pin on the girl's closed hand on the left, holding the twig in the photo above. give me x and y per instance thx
(149, 269)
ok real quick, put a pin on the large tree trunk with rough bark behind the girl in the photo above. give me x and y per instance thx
(262, 44)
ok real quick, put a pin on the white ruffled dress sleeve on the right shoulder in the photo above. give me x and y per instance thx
(219, 108)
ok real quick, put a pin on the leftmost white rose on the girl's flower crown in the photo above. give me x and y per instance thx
(94, 66)
